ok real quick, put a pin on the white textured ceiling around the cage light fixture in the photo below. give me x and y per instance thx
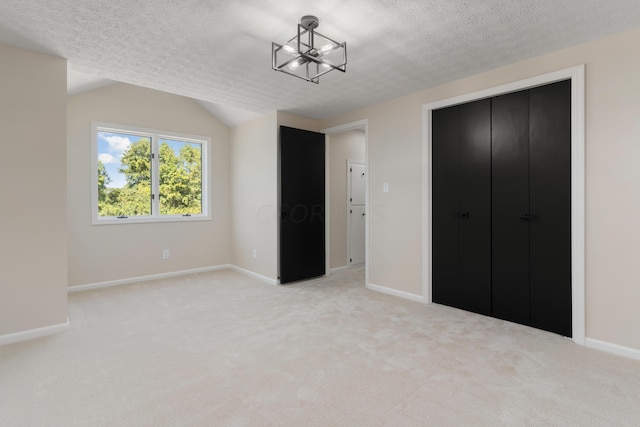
(218, 51)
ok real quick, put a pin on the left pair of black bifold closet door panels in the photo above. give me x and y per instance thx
(461, 214)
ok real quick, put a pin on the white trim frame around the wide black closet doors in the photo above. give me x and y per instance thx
(576, 74)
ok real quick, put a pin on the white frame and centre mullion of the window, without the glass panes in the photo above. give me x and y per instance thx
(155, 135)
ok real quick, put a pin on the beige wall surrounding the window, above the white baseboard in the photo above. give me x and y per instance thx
(99, 253)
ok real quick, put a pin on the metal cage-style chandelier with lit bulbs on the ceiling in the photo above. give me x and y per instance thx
(310, 54)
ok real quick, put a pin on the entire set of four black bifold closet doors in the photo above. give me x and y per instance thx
(501, 222)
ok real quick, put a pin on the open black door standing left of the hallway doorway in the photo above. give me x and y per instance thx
(302, 204)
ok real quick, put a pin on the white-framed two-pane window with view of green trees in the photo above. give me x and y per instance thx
(144, 175)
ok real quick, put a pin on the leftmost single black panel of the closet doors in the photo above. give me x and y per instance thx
(445, 219)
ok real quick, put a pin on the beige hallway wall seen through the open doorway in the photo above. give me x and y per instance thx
(343, 146)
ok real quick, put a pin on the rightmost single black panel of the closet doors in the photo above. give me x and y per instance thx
(550, 136)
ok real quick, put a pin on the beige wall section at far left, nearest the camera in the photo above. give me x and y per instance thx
(33, 222)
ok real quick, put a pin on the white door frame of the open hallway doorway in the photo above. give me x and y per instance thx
(357, 125)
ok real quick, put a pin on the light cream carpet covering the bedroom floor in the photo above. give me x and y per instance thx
(223, 349)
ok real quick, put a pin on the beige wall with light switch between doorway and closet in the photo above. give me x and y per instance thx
(394, 246)
